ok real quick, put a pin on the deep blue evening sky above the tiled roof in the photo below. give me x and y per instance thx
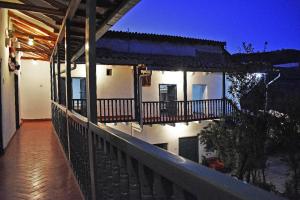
(233, 21)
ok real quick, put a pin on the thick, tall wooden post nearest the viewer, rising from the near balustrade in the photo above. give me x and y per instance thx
(90, 59)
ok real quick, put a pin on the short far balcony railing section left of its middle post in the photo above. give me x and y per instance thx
(116, 110)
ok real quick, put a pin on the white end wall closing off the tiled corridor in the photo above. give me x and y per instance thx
(35, 89)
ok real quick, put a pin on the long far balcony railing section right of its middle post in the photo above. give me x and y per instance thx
(174, 111)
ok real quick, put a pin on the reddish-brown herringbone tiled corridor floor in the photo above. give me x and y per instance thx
(34, 166)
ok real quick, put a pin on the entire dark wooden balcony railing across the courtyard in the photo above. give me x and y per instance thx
(157, 112)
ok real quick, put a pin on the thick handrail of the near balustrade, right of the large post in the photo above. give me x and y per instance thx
(192, 177)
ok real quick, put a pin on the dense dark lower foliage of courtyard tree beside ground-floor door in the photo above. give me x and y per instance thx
(240, 142)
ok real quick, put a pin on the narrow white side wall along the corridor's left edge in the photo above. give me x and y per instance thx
(7, 85)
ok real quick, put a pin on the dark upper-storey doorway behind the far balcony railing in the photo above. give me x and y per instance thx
(168, 97)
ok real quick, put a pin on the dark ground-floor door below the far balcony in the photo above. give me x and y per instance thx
(188, 148)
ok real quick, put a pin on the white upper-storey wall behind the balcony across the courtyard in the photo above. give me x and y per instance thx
(120, 84)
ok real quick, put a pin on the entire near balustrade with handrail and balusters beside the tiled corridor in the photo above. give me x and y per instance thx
(125, 167)
